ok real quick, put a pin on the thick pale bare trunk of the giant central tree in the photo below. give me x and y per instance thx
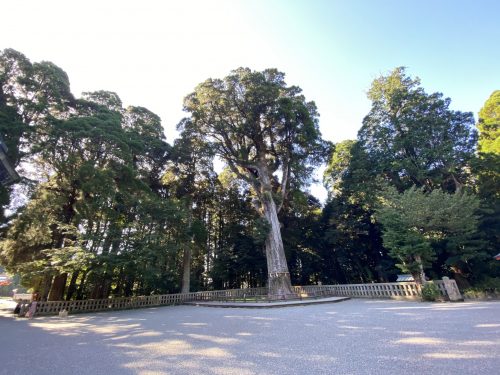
(280, 286)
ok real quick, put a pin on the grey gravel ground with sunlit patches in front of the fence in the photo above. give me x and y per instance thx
(352, 337)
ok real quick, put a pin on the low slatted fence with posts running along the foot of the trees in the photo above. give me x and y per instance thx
(402, 290)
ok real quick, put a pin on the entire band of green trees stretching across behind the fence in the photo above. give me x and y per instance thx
(107, 207)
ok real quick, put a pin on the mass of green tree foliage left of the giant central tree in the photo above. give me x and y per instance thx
(101, 202)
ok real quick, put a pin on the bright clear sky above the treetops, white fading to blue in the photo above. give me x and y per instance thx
(153, 53)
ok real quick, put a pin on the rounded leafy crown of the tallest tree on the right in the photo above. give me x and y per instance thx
(413, 138)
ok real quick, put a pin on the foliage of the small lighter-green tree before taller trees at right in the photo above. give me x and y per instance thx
(415, 223)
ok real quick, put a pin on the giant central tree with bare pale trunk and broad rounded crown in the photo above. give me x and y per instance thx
(263, 129)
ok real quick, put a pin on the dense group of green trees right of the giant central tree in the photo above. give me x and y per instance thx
(414, 189)
